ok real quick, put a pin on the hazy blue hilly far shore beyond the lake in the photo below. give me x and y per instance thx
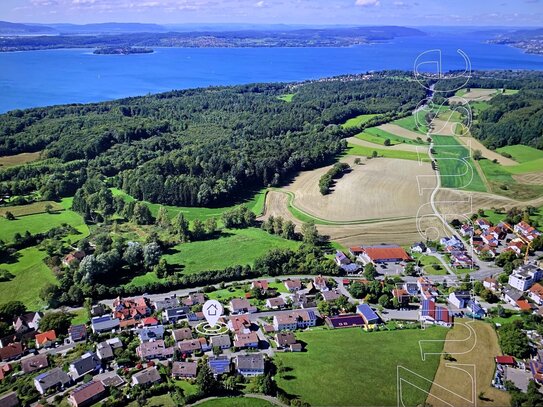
(24, 37)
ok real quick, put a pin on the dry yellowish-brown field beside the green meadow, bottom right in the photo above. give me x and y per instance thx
(478, 347)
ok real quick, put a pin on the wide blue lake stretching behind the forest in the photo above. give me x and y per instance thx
(40, 78)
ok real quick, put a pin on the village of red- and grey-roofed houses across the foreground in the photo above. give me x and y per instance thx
(147, 341)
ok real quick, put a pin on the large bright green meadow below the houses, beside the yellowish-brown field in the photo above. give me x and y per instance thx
(361, 367)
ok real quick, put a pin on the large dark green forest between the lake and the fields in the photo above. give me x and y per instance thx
(194, 147)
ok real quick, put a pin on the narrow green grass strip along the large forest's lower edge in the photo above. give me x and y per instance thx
(256, 204)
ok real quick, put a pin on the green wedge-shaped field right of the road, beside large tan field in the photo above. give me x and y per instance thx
(454, 165)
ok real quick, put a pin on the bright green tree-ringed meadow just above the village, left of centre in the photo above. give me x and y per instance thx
(235, 247)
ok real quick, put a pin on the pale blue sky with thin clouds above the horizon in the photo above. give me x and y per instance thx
(518, 13)
